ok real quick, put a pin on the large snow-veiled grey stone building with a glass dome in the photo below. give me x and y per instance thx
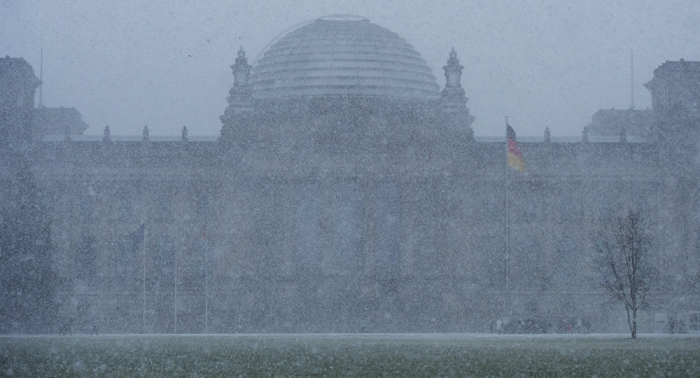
(347, 193)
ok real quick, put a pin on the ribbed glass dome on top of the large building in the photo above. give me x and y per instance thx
(343, 56)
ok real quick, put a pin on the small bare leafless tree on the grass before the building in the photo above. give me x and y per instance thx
(623, 260)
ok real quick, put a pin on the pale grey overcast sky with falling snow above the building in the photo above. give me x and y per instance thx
(165, 64)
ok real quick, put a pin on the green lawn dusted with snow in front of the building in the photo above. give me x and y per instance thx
(348, 355)
